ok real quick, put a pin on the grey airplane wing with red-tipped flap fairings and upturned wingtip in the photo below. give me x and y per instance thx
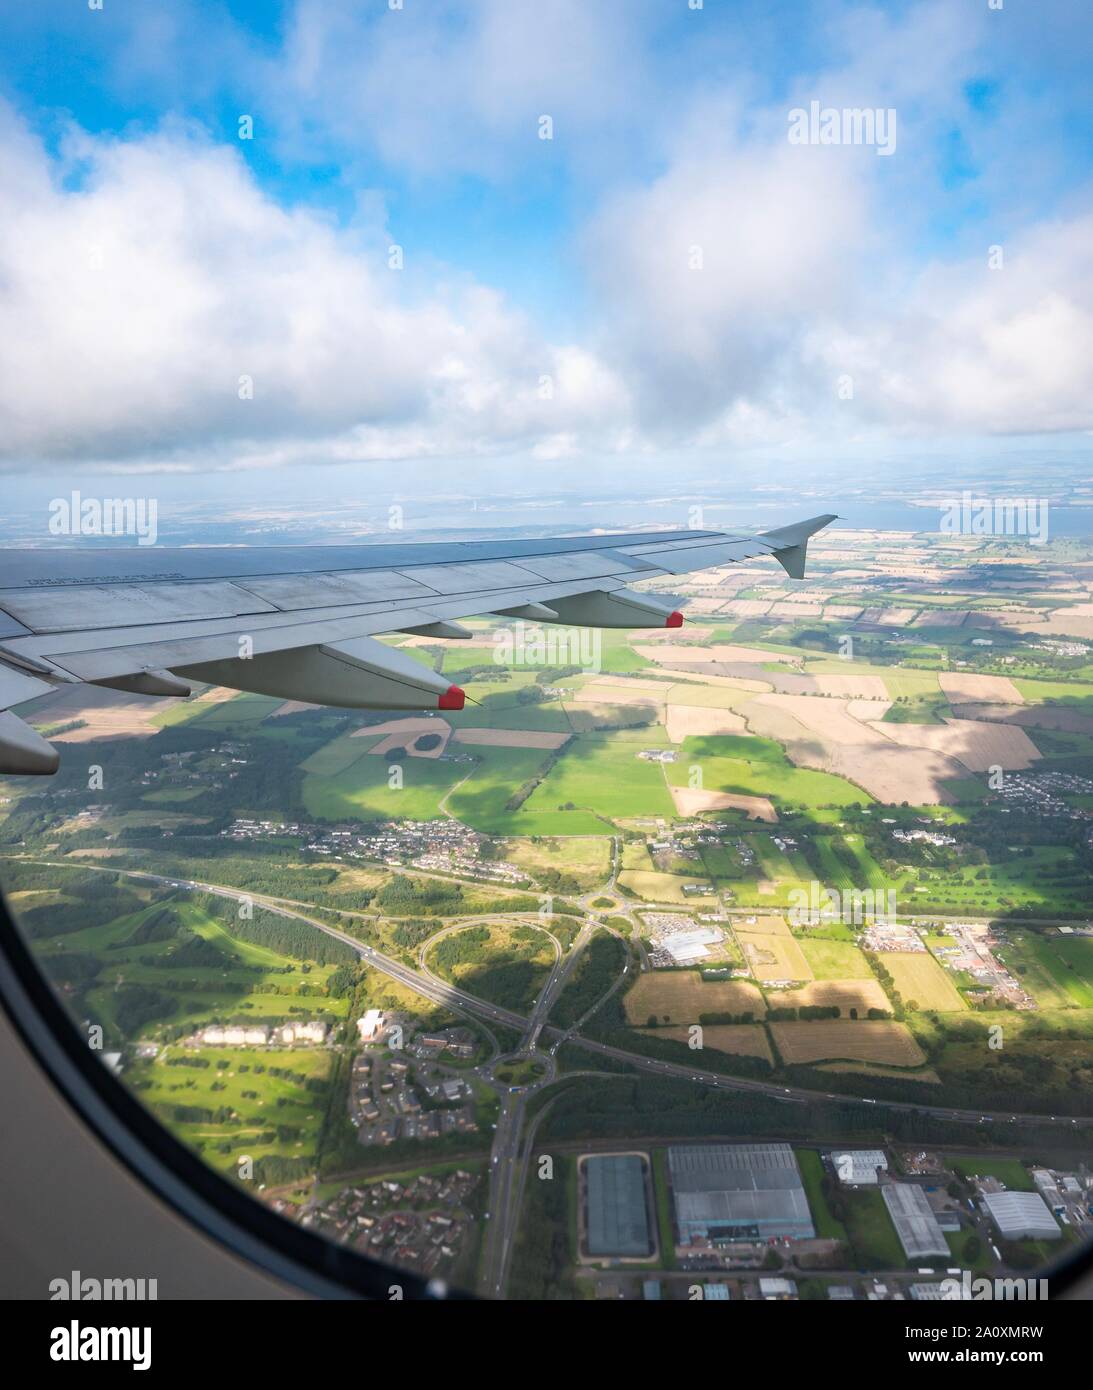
(300, 622)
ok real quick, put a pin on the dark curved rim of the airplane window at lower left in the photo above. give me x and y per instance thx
(166, 1167)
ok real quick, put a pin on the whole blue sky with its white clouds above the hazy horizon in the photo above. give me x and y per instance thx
(668, 277)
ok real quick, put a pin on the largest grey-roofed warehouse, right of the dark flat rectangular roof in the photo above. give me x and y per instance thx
(738, 1192)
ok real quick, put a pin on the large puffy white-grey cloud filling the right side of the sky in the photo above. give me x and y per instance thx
(754, 284)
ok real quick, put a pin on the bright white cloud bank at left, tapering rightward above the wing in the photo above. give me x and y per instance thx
(145, 279)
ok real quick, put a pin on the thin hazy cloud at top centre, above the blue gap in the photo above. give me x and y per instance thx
(446, 88)
